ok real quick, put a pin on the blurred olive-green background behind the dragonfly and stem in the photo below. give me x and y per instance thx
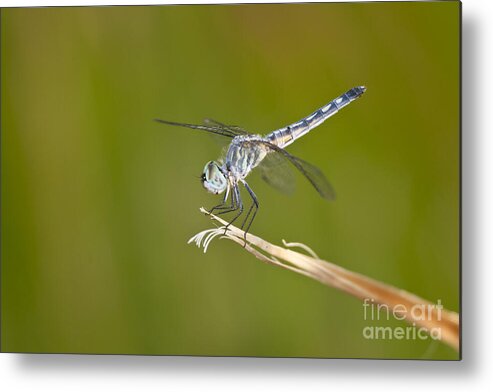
(98, 201)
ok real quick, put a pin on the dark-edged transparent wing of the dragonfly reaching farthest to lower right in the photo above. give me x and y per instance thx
(312, 173)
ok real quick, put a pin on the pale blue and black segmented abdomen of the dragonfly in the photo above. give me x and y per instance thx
(285, 136)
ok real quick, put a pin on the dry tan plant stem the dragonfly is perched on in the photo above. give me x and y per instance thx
(424, 313)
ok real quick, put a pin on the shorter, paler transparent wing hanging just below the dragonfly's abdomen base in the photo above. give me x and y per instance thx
(276, 171)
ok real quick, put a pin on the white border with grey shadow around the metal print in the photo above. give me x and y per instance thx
(86, 373)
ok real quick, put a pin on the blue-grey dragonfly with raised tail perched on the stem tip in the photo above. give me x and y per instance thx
(247, 151)
